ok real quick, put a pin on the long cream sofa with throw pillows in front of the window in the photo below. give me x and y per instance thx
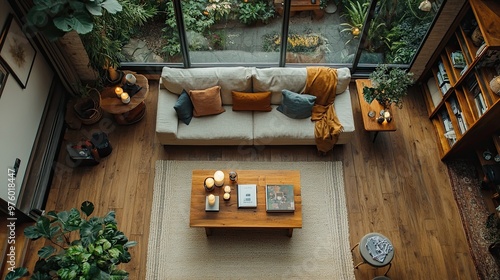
(244, 127)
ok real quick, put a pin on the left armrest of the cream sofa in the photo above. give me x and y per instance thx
(166, 117)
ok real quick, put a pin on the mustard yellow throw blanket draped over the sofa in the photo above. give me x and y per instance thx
(322, 83)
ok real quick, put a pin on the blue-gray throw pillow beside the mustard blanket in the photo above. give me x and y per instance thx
(296, 106)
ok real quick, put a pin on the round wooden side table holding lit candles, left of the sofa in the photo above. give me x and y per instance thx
(126, 113)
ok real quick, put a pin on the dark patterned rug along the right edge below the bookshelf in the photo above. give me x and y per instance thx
(470, 199)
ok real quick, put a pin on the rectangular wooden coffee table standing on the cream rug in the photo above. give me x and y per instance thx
(230, 216)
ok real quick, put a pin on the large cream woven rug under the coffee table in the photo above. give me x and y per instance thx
(319, 250)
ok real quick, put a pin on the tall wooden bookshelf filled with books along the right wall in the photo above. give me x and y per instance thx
(460, 103)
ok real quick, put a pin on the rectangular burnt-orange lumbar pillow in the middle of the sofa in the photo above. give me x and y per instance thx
(251, 101)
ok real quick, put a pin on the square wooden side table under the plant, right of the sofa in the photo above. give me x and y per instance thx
(370, 123)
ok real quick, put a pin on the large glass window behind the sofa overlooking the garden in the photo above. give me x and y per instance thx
(340, 32)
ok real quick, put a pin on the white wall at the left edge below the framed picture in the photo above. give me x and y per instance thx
(20, 114)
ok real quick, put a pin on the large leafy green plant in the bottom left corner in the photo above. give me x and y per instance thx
(95, 255)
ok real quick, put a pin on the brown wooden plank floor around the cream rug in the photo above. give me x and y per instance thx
(397, 186)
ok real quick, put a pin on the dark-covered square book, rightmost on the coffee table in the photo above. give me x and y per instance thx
(280, 198)
